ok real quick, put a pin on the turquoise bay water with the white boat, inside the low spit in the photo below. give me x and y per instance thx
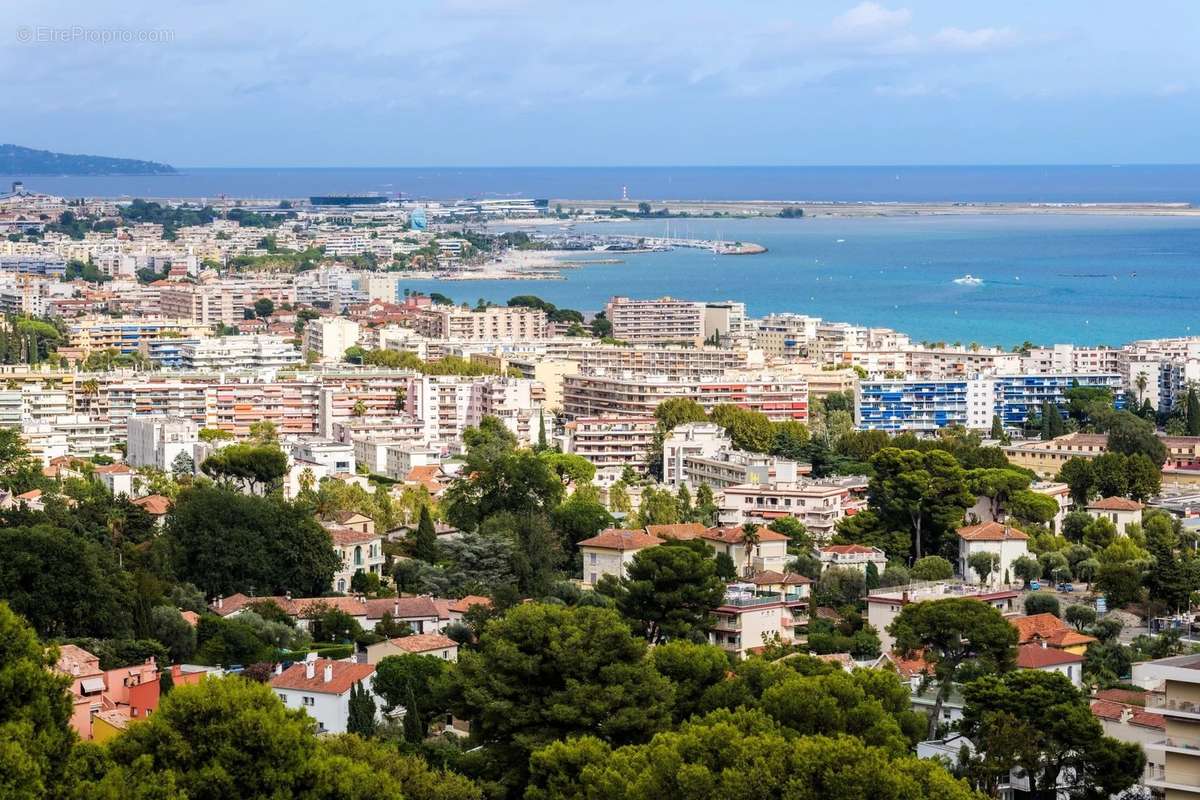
(1047, 278)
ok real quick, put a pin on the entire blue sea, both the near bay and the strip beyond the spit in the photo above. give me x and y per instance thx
(1046, 278)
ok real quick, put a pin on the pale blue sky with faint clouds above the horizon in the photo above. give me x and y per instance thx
(267, 83)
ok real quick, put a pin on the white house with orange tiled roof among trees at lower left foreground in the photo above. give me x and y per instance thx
(322, 688)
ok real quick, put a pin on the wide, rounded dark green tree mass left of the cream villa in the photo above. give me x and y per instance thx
(225, 542)
